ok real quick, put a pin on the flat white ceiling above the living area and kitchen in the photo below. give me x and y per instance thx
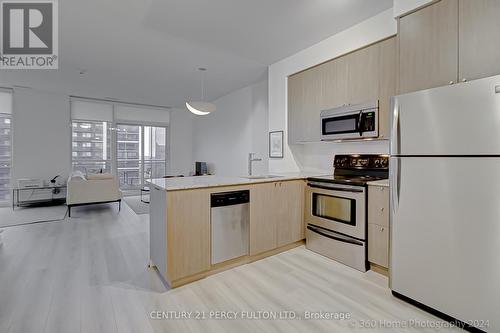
(148, 51)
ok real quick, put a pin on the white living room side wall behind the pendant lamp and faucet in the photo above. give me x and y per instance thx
(238, 127)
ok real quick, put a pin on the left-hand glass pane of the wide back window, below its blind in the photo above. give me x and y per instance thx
(91, 146)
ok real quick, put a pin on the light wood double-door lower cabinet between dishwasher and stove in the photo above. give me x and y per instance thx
(276, 215)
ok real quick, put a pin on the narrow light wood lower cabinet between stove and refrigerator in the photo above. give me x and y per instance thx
(378, 225)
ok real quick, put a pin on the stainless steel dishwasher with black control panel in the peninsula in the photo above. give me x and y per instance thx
(230, 219)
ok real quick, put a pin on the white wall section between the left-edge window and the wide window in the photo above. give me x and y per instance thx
(41, 135)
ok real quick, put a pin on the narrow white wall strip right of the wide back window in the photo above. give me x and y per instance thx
(181, 142)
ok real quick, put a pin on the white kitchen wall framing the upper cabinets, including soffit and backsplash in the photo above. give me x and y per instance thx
(319, 156)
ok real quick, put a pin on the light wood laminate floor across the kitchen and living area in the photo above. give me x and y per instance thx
(89, 274)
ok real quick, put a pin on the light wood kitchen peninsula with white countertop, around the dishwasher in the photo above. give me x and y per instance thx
(181, 222)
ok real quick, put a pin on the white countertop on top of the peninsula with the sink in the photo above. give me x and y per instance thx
(186, 183)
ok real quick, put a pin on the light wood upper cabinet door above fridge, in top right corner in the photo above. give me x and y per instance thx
(479, 30)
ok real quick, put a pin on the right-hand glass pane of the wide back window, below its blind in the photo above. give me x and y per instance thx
(141, 154)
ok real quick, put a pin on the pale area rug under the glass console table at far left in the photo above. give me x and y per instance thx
(26, 215)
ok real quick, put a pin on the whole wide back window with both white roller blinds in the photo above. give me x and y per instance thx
(119, 138)
